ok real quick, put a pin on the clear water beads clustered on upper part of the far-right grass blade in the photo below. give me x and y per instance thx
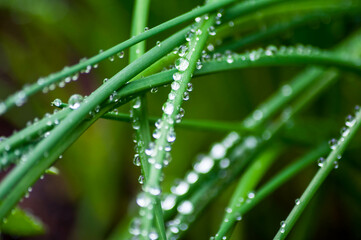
(334, 143)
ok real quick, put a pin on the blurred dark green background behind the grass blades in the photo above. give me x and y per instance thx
(97, 184)
